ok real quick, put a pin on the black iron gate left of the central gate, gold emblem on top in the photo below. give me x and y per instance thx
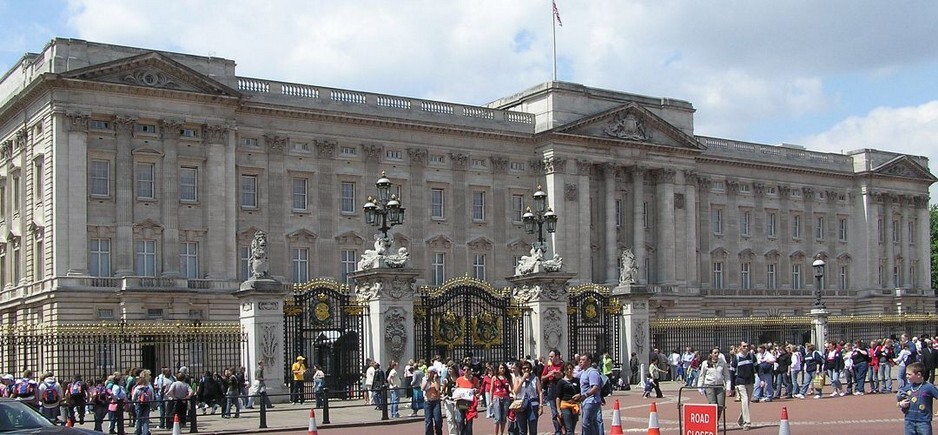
(324, 324)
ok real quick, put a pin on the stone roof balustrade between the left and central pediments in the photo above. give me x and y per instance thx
(324, 95)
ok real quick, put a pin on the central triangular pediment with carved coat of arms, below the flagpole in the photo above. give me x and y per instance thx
(631, 123)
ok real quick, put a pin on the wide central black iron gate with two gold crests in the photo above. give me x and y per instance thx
(464, 316)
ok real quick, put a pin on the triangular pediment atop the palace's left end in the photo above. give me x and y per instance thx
(152, 70)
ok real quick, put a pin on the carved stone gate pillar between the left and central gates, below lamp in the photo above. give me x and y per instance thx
(389, 294)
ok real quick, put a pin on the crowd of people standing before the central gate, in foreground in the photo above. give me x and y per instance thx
(513, 395)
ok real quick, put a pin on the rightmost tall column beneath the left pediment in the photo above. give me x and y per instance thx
(215, 202)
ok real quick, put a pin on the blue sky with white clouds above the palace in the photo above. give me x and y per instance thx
(832, 75)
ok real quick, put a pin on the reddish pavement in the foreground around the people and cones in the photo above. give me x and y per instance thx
(830, 415)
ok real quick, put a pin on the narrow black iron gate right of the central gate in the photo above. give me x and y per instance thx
(593, 320)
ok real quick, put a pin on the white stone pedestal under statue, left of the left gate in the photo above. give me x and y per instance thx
(261, 318)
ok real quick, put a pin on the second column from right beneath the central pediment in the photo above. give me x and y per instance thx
(664, 225)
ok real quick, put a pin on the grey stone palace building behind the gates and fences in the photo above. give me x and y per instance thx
(133, 181)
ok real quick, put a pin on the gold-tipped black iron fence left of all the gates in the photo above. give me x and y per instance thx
(99, 349)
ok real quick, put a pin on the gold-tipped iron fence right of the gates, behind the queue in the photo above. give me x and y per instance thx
(701, 333)
